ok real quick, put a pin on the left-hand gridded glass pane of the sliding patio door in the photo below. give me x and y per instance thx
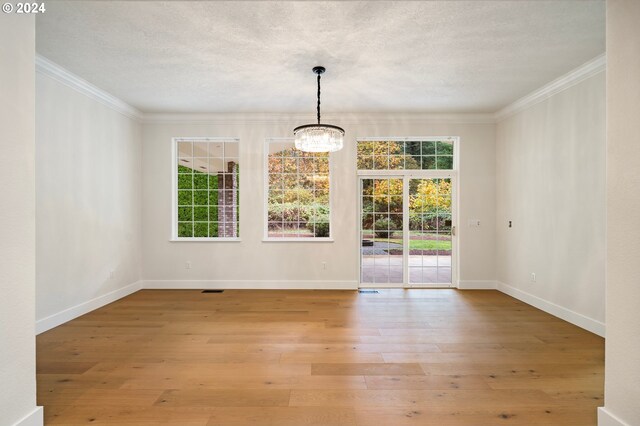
(381, 233)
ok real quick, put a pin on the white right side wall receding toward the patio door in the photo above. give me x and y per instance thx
(551, 185)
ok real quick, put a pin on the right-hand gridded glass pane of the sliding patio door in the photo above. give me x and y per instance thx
(430, 231)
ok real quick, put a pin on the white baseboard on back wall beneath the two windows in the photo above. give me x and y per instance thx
(249, 284)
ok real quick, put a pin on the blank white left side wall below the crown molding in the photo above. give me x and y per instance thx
(88, 187)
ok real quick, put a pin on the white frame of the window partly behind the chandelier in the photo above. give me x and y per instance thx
(265, 204)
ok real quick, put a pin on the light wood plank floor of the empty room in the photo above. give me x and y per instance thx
(294, 358)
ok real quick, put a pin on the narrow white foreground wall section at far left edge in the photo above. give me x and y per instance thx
(17, 221)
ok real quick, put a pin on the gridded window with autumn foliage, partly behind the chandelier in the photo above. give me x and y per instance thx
(297, 196)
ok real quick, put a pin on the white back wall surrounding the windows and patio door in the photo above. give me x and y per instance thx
(253, 260)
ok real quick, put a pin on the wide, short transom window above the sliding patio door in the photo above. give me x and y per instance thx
(405, 154)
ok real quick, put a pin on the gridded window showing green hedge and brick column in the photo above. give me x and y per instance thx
(206, 189)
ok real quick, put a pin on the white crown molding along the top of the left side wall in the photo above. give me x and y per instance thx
(51, 69)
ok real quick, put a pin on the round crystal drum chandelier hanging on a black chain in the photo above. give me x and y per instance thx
(319, 137)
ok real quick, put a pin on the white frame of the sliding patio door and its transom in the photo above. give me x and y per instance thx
(406, 175)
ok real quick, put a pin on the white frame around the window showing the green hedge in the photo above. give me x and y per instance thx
(174, 189)
